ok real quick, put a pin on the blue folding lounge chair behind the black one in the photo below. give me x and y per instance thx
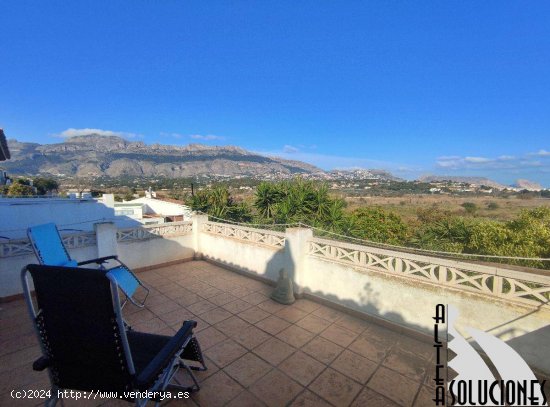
(50, 250)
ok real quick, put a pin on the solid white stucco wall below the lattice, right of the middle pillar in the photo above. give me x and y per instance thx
(412, 304)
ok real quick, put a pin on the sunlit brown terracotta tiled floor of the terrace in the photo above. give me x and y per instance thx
(259, 352)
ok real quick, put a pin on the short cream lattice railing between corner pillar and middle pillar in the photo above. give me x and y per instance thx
(260, 236)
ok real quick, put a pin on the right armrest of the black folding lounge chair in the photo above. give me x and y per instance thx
(151, 372)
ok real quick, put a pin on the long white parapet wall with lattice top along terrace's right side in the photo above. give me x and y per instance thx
(400, 288)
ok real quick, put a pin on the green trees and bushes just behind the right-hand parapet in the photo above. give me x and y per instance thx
(309, 202)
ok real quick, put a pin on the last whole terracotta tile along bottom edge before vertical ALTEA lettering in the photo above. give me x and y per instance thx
(394, 386)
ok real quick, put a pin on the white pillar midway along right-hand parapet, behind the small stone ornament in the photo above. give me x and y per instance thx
(296, 250)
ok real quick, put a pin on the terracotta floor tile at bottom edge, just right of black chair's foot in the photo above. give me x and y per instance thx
(217, 390)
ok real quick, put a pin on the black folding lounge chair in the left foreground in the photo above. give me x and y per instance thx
(85, 345)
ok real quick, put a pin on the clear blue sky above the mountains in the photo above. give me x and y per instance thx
(456, 87)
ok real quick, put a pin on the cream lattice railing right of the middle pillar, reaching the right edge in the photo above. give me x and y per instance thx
(513, 285)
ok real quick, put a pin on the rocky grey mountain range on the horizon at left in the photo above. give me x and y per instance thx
(96, 155)
